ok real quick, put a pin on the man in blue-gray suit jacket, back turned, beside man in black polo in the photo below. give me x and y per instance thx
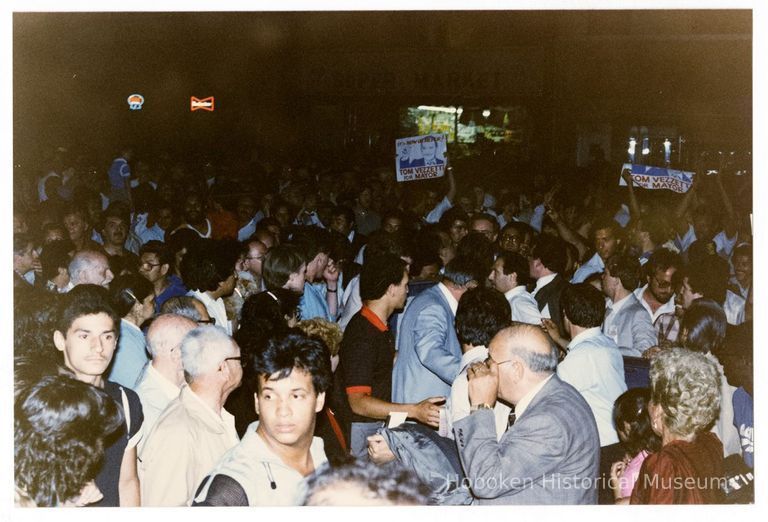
(428, 351)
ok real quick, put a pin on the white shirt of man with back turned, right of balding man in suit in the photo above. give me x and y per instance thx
(595, 367)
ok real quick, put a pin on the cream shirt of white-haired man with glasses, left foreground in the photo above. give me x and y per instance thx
(182, 448)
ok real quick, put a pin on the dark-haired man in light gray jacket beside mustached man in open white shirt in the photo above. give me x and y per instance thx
(626, 320)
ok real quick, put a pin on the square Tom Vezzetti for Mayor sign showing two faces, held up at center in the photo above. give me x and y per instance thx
(420, 157)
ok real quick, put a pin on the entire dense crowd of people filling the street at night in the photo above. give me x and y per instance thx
(274, 332)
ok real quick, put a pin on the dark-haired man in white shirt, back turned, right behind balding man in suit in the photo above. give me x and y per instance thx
(593, 365)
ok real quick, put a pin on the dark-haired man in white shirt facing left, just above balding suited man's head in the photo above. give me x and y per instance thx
(510, 275)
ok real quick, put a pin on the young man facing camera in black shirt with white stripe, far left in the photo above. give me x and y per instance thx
(86, 334)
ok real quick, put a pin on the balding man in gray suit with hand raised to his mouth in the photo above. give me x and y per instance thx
(551, 452)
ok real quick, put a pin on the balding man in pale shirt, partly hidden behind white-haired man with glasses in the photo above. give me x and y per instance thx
(163, 377)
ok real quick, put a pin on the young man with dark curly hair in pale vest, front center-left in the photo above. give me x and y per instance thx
(268, 466)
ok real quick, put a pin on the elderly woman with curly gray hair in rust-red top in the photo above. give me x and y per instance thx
(685, 400)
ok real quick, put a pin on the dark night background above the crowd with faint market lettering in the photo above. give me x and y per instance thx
(332, 83)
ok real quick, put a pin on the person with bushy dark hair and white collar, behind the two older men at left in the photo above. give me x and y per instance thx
(208, 270)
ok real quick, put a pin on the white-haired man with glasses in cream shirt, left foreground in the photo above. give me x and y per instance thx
(194, 430)
